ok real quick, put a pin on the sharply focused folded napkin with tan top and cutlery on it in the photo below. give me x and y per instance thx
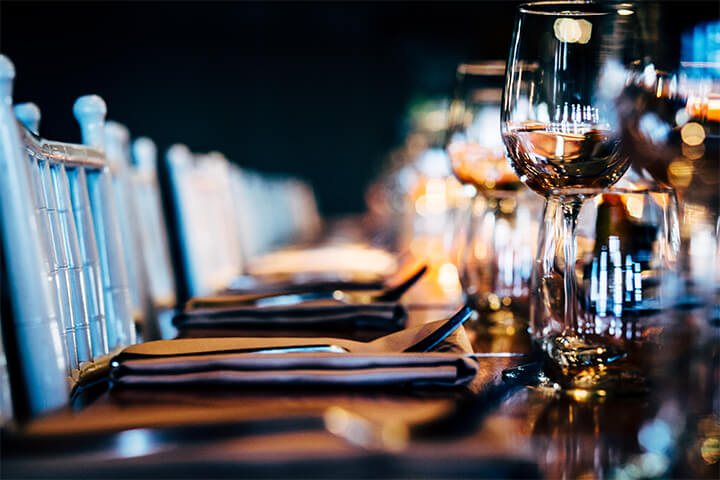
(292, 361)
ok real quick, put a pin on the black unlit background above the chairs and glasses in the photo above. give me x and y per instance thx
(319, 90)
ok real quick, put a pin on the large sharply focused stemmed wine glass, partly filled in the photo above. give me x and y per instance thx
(559, 123)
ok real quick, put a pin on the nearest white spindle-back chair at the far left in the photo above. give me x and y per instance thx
(68, 302)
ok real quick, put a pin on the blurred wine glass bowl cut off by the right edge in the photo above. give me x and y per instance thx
(666, 117)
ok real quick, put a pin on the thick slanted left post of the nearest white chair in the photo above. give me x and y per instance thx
(30, 322)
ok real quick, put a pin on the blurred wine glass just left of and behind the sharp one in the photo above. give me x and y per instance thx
(500, 227)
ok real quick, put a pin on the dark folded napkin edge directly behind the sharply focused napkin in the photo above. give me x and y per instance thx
(312, 316)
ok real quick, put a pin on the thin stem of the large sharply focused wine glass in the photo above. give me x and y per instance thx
(571, 209)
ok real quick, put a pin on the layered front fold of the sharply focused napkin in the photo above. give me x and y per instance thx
(299, 369)
